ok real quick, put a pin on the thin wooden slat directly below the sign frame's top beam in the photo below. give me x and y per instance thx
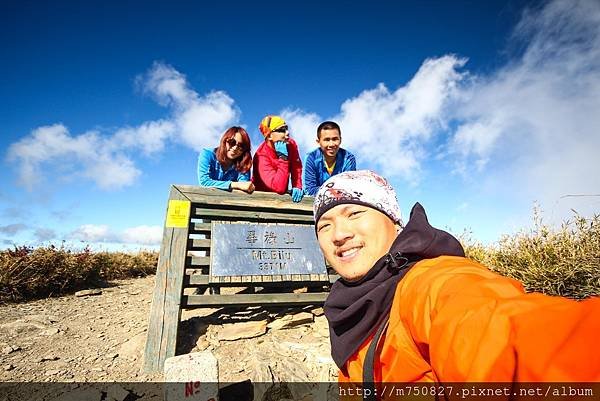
(252, 215)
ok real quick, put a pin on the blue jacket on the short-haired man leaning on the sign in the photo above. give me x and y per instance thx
(315, 171)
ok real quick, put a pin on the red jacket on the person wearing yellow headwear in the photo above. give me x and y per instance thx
(271, 174)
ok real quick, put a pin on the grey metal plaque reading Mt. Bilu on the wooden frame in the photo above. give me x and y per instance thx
(264, 249)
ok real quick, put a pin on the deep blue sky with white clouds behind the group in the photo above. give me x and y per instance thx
(476, 109)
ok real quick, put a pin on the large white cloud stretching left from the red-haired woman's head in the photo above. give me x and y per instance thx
(108, 160)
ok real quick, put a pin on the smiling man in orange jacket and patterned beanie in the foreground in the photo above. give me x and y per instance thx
(409, 307)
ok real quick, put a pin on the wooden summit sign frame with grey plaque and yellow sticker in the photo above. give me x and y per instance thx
(263, 244)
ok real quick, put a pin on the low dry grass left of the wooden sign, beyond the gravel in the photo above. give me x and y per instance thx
(27, 273)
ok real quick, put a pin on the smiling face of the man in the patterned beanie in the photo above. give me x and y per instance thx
(353, 237)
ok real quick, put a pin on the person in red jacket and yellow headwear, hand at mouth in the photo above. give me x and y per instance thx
(277, 160)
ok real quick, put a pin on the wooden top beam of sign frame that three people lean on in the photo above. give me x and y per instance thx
(213, 196)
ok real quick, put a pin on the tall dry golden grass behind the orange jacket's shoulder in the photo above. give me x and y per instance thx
(564, 261)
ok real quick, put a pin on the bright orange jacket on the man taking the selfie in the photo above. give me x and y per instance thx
(453, 320)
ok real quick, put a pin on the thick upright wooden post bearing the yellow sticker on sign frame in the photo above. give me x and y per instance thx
(165, 310)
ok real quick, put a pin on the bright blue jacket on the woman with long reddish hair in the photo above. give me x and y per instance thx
(211, 173)
